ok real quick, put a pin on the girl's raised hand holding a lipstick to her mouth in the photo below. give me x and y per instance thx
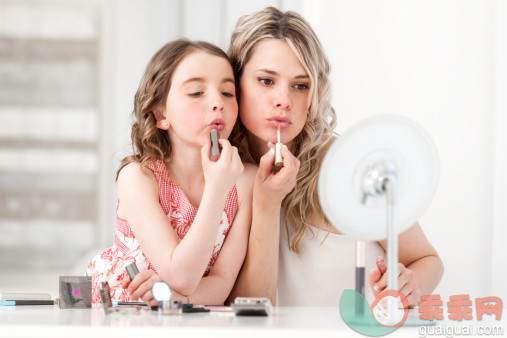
(222, 174)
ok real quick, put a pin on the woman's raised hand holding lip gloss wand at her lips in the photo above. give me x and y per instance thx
(270, 188)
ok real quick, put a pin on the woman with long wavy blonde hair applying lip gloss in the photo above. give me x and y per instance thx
(283, 82)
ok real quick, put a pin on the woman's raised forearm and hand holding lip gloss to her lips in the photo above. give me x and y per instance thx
(259, 275)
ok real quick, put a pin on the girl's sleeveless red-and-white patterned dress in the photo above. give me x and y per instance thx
(109, 264)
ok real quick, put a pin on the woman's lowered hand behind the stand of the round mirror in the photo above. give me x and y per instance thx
(407, 283)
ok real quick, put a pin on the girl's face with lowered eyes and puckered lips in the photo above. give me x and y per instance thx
(202, 97)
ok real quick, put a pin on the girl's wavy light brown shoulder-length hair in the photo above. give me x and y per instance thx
(150, 143)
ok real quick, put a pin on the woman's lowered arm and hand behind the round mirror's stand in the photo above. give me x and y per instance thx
(419, 269)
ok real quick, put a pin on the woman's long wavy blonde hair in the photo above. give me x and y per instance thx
(309, 145)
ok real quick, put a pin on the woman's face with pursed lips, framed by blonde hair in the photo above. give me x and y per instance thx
(274, 92)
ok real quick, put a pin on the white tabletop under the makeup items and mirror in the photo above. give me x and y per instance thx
(51, 321)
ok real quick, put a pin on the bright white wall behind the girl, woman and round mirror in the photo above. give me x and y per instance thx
(432, 61)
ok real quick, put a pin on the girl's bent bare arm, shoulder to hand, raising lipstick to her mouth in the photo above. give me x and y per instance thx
(180, 263)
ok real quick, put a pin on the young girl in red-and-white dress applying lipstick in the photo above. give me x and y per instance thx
(181, 217)
